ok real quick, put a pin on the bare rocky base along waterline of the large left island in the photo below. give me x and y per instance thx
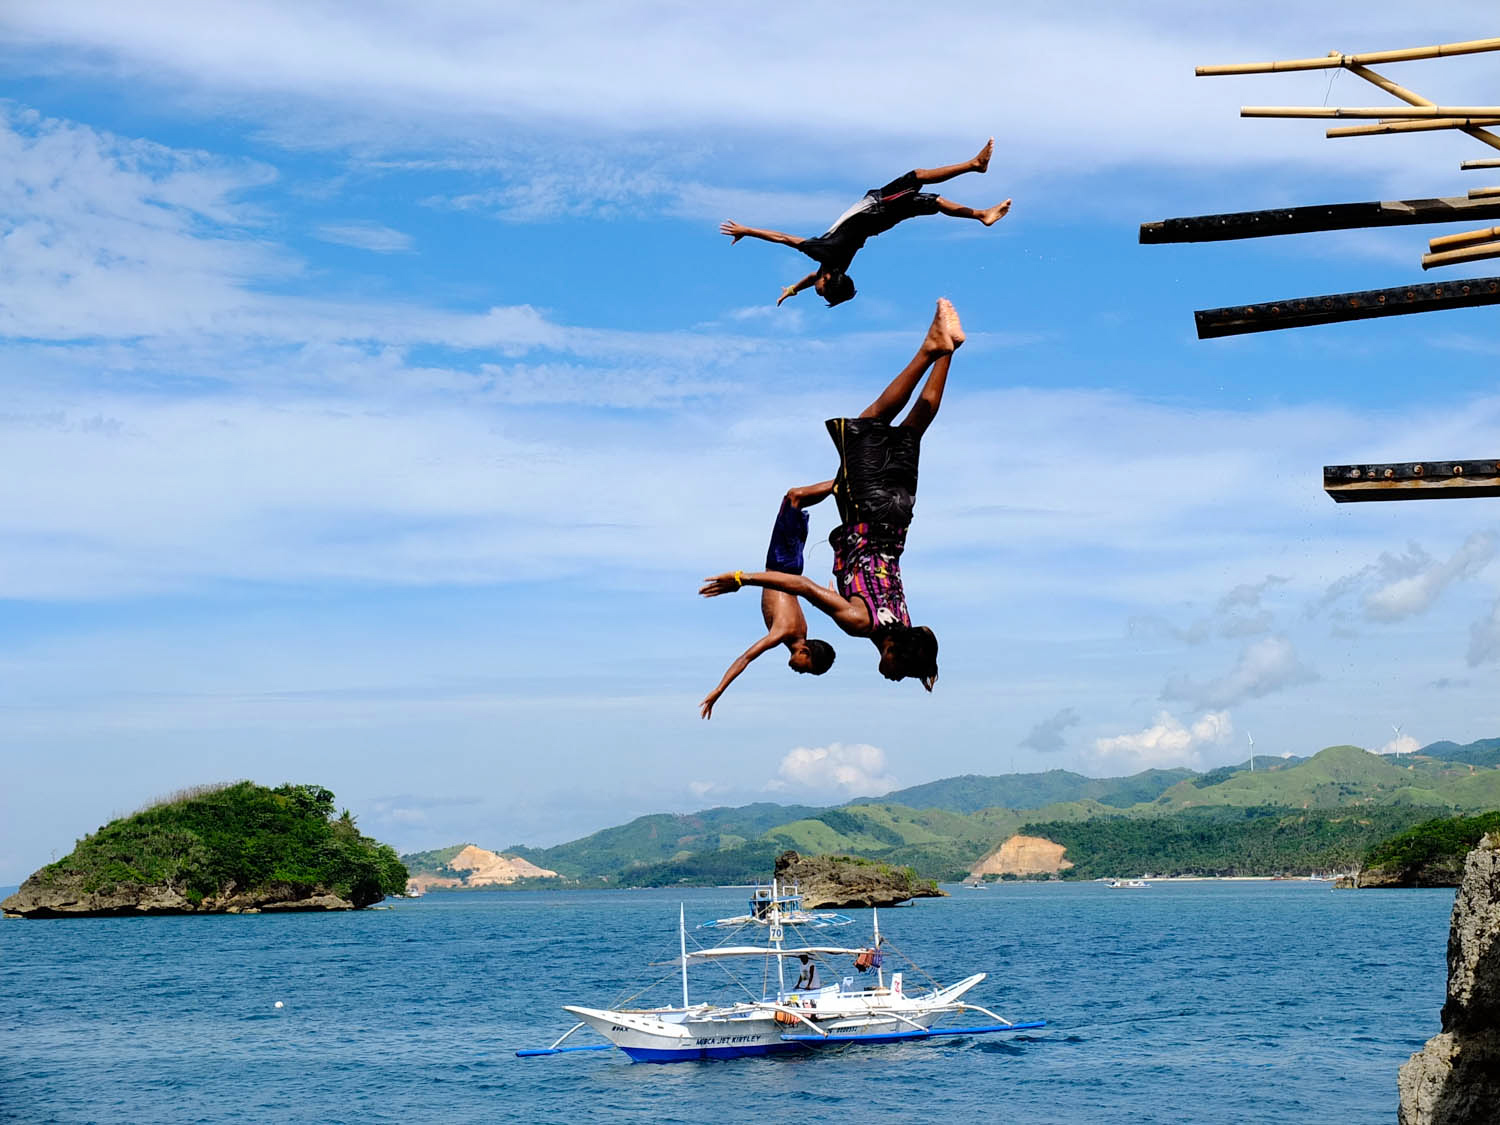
(65, 899)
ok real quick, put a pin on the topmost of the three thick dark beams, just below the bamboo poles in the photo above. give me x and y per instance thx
(1330, 217)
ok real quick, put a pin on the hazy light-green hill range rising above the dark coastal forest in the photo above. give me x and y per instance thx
(944, 829)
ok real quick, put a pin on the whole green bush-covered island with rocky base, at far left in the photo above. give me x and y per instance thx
(218, 850)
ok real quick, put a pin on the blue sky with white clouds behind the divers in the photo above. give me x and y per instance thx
(377, 391)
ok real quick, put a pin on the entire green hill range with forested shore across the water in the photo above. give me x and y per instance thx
(1286, 817)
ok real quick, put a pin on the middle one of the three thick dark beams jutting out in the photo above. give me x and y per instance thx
(1334, 308)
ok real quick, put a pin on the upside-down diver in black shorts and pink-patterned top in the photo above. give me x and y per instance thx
(877, 491)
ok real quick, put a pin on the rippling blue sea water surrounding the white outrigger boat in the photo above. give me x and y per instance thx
(1193, 1003)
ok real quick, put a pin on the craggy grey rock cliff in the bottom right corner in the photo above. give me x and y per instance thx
(1456, 1078)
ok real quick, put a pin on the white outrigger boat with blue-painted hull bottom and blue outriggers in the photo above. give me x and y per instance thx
(790, 1019)
